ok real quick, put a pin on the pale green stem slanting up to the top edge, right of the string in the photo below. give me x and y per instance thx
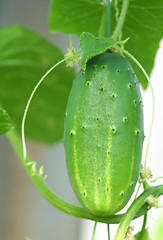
(121, 19)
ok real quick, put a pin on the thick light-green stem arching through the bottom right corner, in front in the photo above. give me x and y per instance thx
(135, 206)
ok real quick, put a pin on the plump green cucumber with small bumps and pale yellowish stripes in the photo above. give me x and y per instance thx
(104, 133)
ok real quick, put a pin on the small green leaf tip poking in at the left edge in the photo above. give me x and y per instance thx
(6, 123)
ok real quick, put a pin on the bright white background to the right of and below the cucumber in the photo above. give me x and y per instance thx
(155, 155)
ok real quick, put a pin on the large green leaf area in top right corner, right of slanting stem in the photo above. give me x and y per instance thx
(144, 26)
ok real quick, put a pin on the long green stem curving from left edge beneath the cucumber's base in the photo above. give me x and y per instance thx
(57, 202)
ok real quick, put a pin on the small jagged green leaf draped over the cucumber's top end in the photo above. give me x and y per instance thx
(90, 46)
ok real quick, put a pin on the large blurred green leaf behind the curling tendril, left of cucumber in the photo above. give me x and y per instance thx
(24, 59)
